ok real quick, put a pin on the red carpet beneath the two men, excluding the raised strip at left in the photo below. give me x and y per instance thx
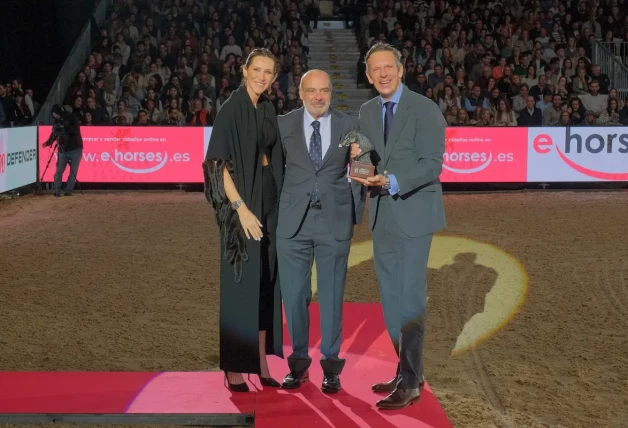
(370, 359)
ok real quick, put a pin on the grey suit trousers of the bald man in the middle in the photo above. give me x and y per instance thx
(313, 243)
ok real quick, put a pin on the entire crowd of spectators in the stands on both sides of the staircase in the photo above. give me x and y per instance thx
(497, 63)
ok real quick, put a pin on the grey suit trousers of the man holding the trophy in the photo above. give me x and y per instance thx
(401, 269)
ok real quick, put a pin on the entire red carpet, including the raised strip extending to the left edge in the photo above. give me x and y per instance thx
(366, 347)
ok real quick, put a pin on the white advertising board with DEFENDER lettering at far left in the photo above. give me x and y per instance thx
(18, 157)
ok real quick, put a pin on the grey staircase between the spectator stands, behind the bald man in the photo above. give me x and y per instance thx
(337, 53)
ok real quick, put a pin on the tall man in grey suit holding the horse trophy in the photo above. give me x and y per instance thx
(405, 210)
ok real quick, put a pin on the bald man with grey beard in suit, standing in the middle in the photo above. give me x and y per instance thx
(318, 208)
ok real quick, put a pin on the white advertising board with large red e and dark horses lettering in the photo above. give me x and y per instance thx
(578, 154)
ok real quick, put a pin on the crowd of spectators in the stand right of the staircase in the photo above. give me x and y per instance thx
(505, 63)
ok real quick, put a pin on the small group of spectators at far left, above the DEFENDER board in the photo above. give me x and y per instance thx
(17, 106)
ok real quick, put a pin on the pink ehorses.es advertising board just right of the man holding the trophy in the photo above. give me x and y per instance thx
(485, 155)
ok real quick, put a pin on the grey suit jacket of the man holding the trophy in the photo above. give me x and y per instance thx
(414, 154)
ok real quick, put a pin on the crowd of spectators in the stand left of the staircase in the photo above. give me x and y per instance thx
(174, 62)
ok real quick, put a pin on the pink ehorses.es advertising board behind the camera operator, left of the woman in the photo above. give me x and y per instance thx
(134, 155)
